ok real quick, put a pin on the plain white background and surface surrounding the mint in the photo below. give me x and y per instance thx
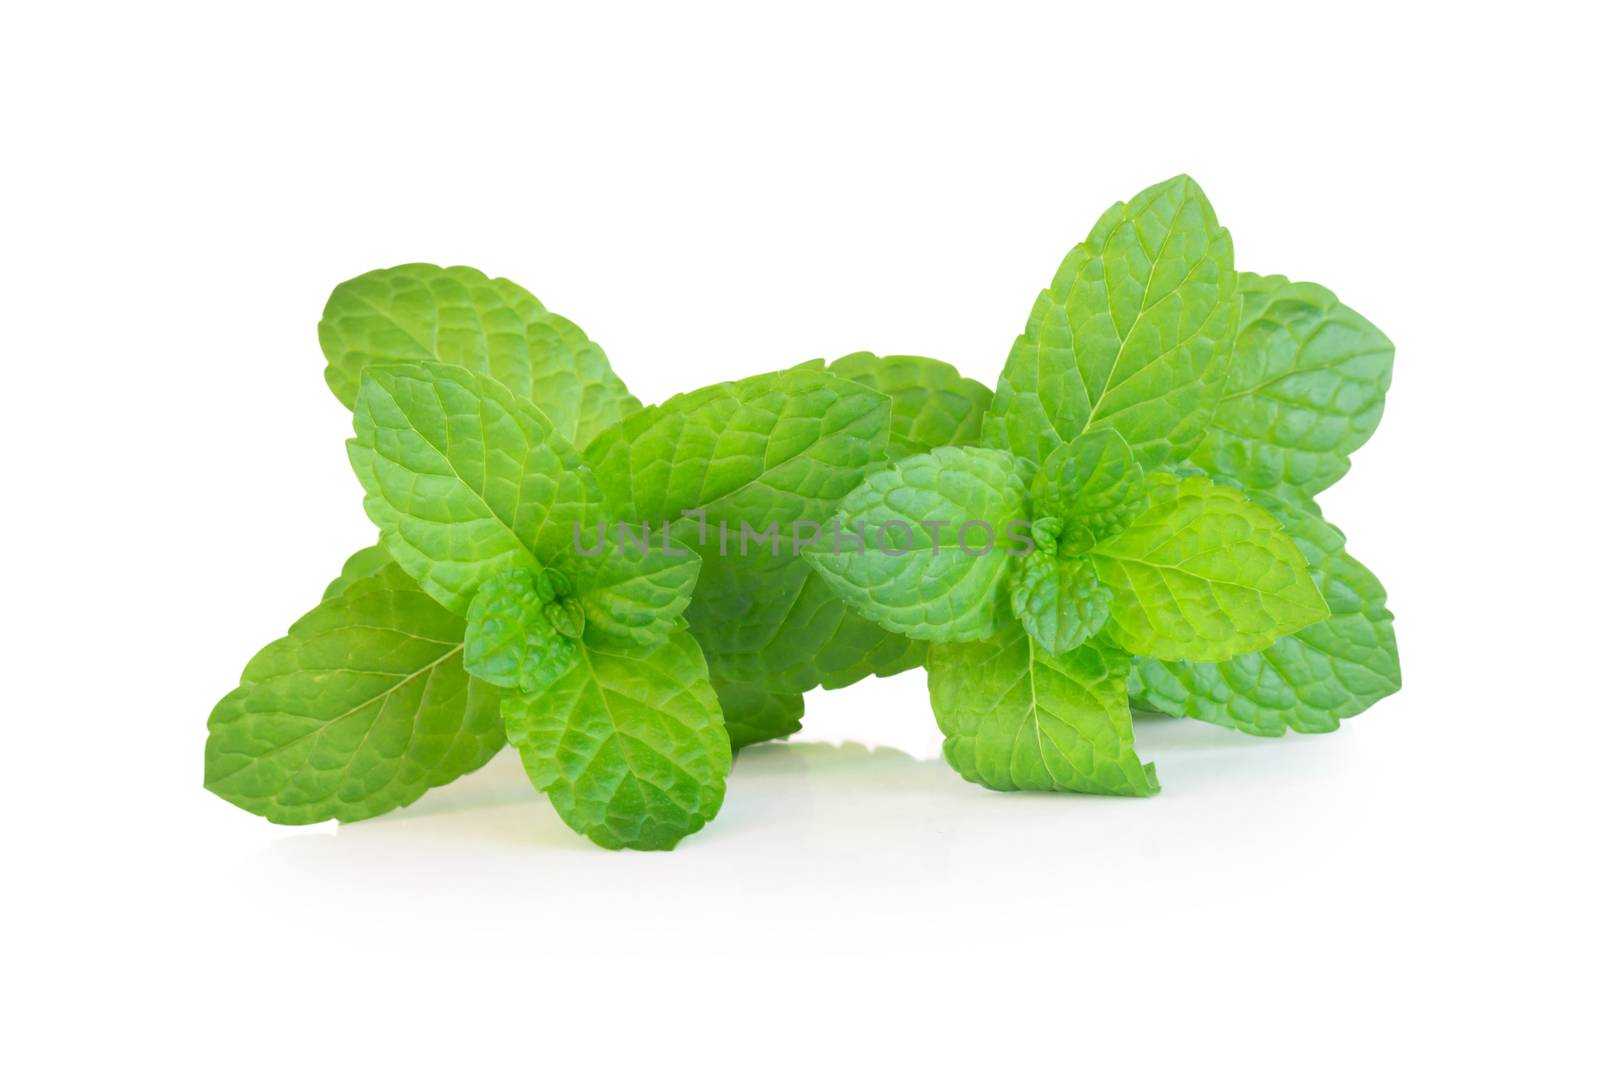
(716, 193)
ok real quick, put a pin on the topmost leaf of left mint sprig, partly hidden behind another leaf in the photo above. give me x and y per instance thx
(462, 318)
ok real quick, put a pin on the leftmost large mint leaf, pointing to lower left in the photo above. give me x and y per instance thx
(359, 711)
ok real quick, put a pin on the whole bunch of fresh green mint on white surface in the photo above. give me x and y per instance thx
(1127, 522)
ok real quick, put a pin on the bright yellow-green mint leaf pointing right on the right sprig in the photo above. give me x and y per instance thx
(1206, 575)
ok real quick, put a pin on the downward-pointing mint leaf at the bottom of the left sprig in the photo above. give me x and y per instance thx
(630, 746)
